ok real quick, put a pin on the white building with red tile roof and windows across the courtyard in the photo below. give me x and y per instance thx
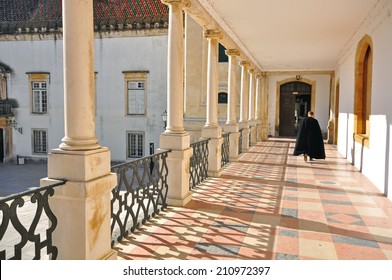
(130, 64)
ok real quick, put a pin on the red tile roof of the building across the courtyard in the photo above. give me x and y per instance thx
(22, 14)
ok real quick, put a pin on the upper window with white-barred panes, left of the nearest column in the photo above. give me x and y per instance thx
(39, 92)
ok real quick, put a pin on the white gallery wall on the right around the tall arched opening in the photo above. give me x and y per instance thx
(374, 161)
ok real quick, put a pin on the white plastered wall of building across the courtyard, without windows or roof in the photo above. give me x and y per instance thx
(112, 57)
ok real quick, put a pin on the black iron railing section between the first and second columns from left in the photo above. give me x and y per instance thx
(140, 193)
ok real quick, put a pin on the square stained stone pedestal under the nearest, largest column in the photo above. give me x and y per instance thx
(82, 204)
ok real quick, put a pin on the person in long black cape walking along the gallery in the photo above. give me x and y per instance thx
(310, 139)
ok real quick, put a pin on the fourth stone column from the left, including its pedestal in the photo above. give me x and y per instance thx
(231, 125)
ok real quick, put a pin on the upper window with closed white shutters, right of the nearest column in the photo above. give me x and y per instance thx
(136, 92)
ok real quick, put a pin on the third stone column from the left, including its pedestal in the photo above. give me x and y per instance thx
(212, 129)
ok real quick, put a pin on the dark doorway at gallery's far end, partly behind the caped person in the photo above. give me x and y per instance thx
(295, 101)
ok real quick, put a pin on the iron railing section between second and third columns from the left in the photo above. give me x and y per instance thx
(198, 162)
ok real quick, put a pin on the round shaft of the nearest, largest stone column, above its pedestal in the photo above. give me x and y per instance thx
(79, 99)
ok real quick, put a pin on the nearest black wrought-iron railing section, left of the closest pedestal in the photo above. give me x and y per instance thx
(33, 224)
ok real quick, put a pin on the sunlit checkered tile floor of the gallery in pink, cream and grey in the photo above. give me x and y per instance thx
(272, 205)
